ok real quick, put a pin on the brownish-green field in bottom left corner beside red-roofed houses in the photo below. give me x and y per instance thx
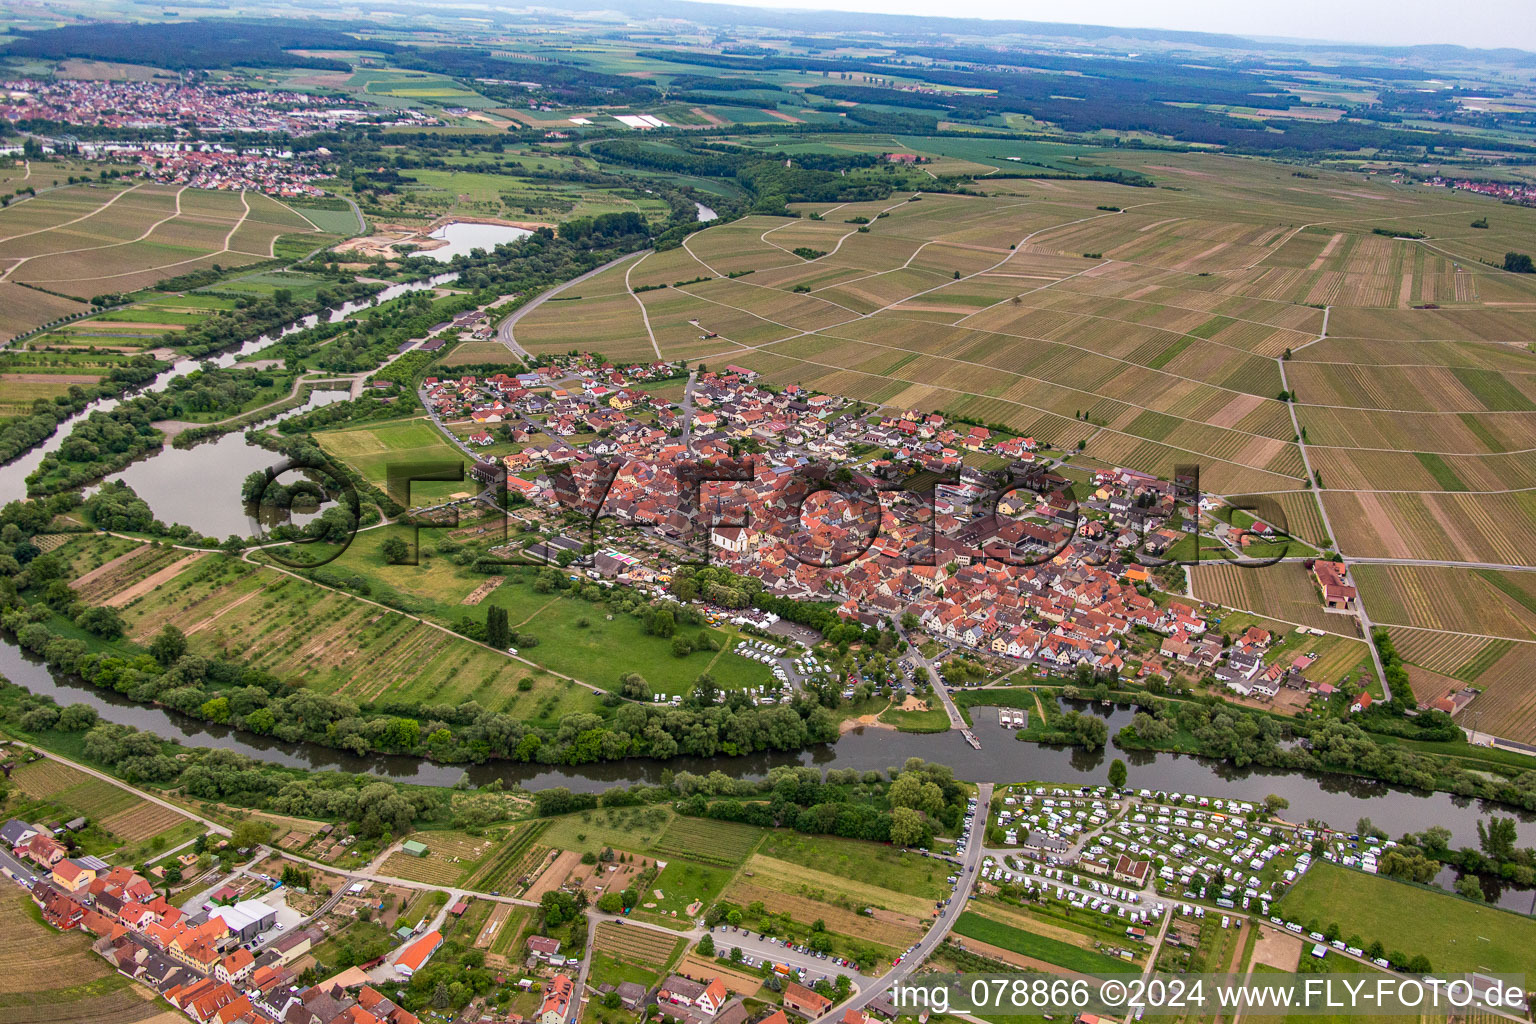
(47, 976)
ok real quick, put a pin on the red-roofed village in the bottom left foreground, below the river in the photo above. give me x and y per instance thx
(228, 960)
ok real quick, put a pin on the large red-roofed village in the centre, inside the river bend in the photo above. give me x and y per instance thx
(988, 546)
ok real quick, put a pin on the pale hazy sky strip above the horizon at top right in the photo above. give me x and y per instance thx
(1403, 22)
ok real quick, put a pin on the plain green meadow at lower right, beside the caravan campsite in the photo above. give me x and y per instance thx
(1455, 934)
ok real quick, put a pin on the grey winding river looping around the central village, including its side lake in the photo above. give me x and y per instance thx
(220, 466)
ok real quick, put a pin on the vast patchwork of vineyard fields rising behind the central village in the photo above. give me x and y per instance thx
(1156, 334)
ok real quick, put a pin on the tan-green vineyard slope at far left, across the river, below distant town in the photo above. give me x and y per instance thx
(98, 239)
